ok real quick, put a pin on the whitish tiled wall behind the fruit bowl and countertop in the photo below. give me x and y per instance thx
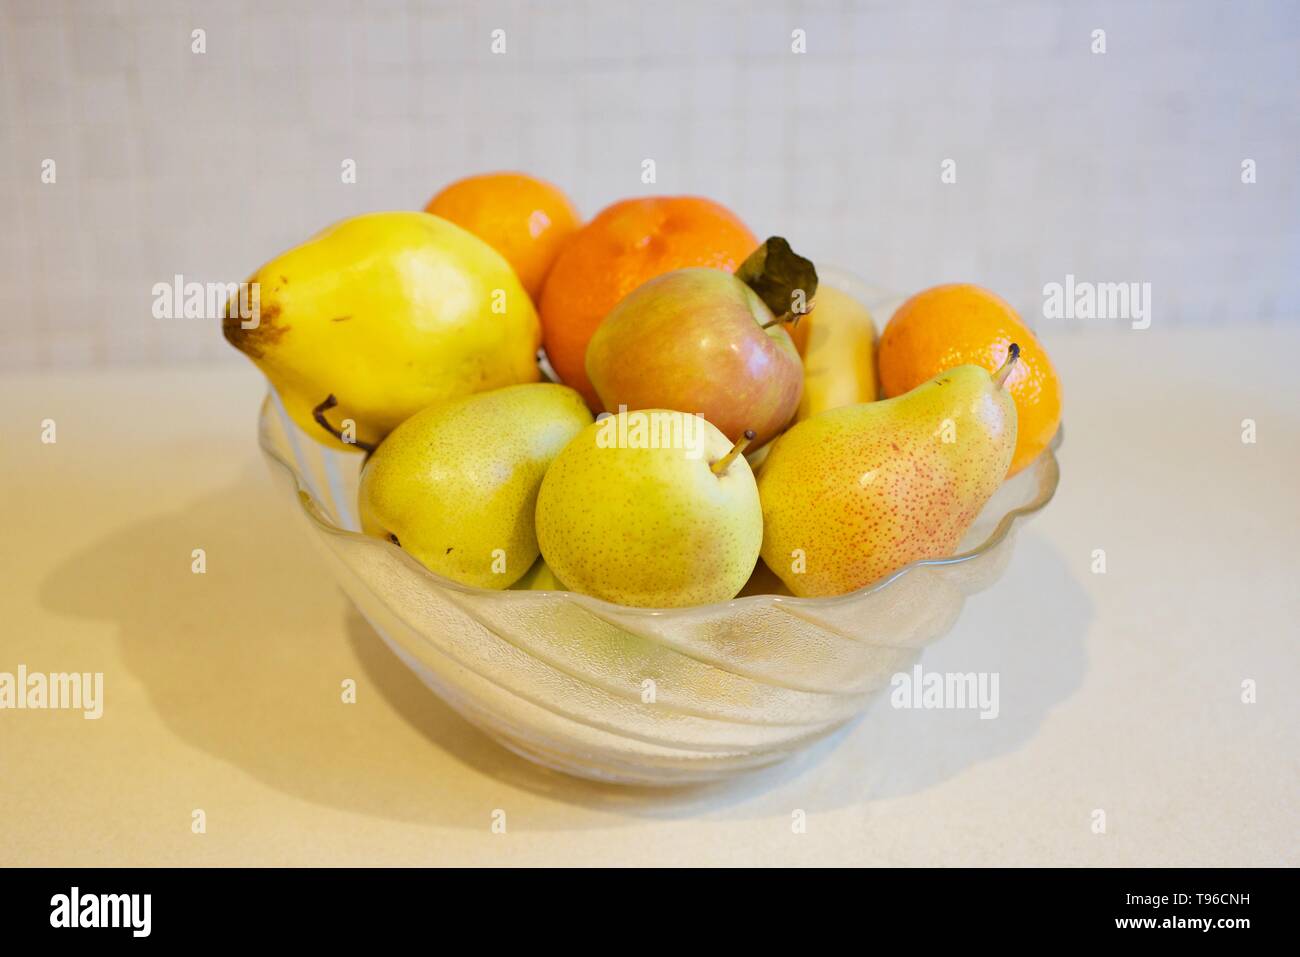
(1116, 167)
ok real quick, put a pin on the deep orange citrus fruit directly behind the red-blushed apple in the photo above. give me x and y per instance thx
(625, 246)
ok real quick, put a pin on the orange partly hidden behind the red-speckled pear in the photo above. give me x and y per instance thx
(961, 324)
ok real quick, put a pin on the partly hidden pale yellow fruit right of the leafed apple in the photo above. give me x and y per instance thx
(838, 340)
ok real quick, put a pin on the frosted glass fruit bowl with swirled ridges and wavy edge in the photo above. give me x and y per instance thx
(642, 696)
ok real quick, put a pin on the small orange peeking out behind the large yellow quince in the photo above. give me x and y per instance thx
(525, 219)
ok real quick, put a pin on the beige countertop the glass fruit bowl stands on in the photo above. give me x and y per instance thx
(1119, 692)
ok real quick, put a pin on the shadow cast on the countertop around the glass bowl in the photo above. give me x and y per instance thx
(245, 664)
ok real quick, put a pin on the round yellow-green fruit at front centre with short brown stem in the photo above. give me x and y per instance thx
(653, 509)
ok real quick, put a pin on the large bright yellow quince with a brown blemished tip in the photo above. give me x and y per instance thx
(388, 313)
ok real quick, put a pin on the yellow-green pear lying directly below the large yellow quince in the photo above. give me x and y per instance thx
(457, 484)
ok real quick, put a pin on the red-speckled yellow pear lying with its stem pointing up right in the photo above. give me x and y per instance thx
(857, 492)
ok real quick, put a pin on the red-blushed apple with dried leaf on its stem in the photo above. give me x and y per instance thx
(699, 341)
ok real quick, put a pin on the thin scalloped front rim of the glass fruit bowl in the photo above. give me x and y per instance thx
(307, 501)
